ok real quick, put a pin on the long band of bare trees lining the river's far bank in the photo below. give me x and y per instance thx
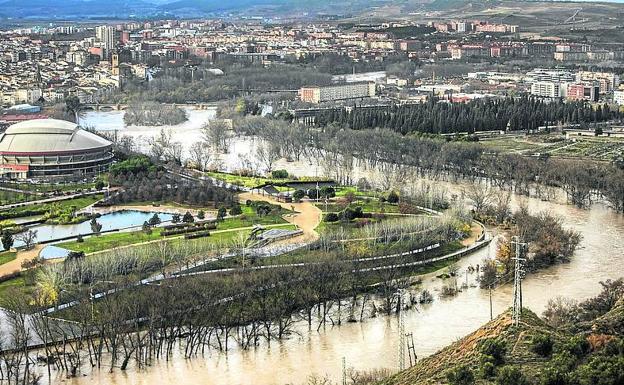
(397, 157)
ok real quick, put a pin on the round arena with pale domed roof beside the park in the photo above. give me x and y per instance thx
(50, 149)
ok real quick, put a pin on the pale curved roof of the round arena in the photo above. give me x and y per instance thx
(49, 136)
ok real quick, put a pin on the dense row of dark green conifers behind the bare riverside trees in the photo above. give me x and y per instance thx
(487, 114)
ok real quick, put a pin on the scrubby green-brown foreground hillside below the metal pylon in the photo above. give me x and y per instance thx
(586, 349)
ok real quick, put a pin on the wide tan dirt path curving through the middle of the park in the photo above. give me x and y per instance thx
(307, 218)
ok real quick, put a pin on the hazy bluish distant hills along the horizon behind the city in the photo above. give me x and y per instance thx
(54, 9)
